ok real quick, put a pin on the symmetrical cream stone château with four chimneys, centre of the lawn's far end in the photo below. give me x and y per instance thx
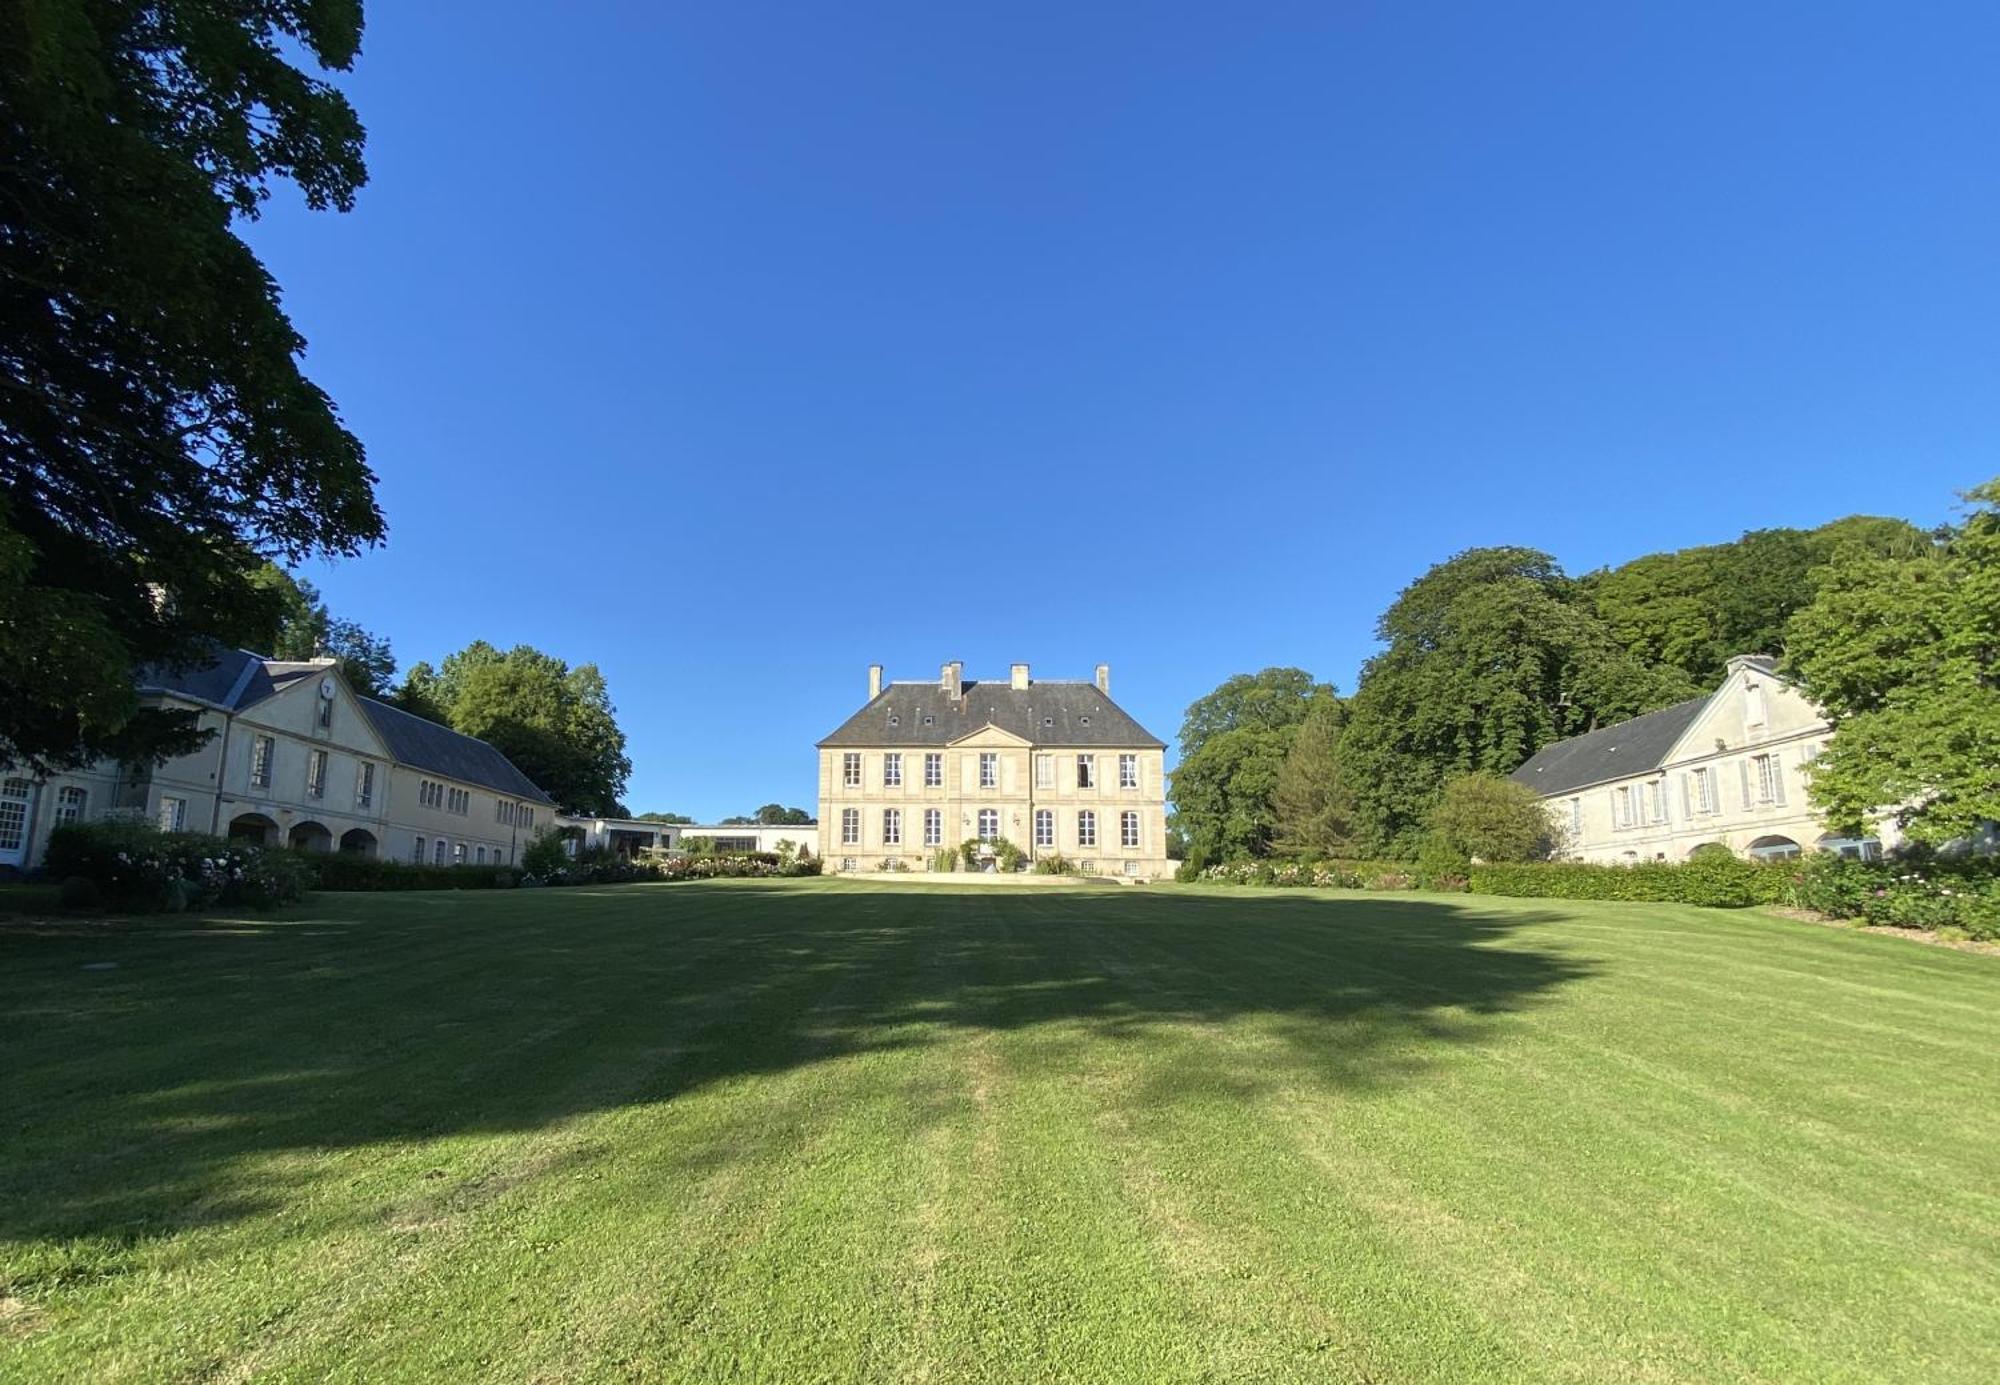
(1053, 768)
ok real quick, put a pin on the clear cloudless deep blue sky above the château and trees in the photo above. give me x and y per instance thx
(737, 347)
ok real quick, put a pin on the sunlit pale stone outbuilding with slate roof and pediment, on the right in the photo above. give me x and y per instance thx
(1729, 768)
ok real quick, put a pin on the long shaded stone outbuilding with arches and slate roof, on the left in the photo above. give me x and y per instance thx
(295, 760)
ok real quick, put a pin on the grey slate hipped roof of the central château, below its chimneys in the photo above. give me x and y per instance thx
(1043, 714)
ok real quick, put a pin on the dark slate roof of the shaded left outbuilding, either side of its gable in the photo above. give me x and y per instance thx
(237, 679)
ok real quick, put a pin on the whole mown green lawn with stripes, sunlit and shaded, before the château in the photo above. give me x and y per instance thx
(843, 1132)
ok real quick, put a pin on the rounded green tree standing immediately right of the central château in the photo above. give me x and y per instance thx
(1233, 748)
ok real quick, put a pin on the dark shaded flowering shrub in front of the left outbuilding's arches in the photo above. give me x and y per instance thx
(139, 868)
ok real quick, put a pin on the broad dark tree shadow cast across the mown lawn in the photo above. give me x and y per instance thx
(151, 1098)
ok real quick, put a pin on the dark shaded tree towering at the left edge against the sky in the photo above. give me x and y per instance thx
(157, 435)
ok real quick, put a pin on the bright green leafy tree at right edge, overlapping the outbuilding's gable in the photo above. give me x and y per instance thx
(1905, 655)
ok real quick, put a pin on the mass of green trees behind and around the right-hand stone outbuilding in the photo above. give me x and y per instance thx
(1495, 653)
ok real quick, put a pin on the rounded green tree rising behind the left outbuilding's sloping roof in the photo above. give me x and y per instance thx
(557, 724)
